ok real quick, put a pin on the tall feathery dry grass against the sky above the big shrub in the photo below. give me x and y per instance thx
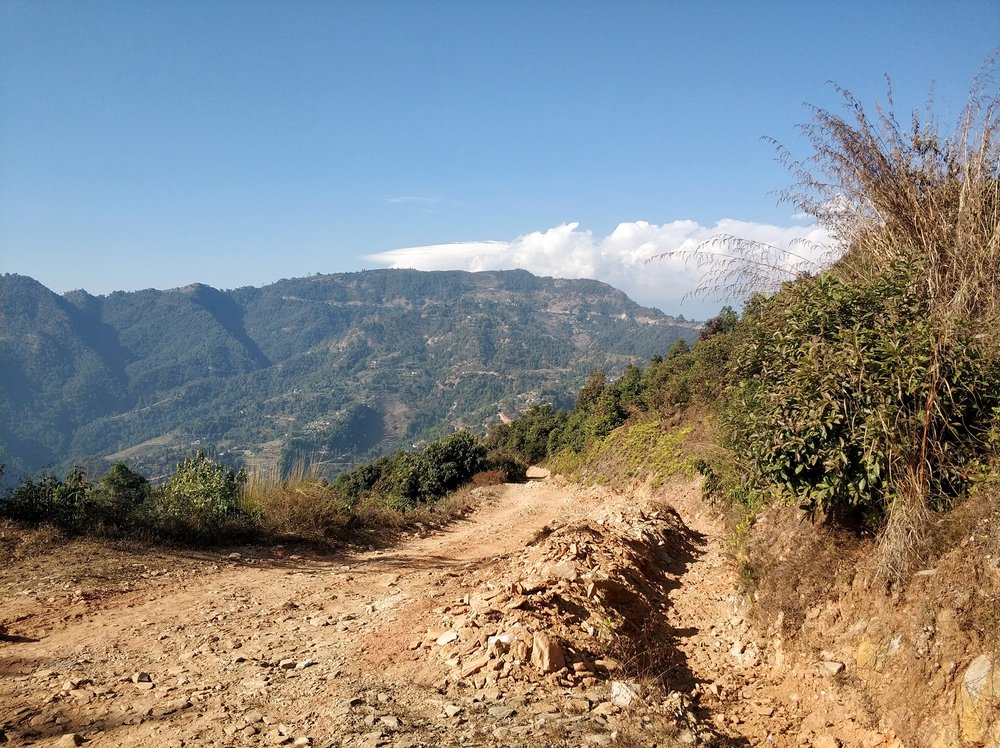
(888, 191)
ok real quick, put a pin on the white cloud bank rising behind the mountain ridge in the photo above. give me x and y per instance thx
(622, 258)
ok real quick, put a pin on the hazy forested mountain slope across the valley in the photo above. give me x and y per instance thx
(328, 368)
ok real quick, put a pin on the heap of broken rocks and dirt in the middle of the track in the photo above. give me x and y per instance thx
(571, 627)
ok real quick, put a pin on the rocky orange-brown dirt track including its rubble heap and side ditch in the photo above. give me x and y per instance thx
(554, 614)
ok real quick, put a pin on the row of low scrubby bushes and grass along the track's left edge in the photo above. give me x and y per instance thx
(206, 502)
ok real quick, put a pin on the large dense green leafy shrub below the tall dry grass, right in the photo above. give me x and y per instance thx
(833, 382)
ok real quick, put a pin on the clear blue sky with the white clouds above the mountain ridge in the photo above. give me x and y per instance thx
(154, 144)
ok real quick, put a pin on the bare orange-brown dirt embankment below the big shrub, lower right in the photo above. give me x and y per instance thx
(924, 649)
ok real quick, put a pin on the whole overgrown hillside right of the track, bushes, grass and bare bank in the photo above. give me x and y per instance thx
(864, 396)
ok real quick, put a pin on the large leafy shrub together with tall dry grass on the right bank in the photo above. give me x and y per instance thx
(871, 392)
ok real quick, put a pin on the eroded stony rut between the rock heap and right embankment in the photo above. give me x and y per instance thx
(754, 686)
